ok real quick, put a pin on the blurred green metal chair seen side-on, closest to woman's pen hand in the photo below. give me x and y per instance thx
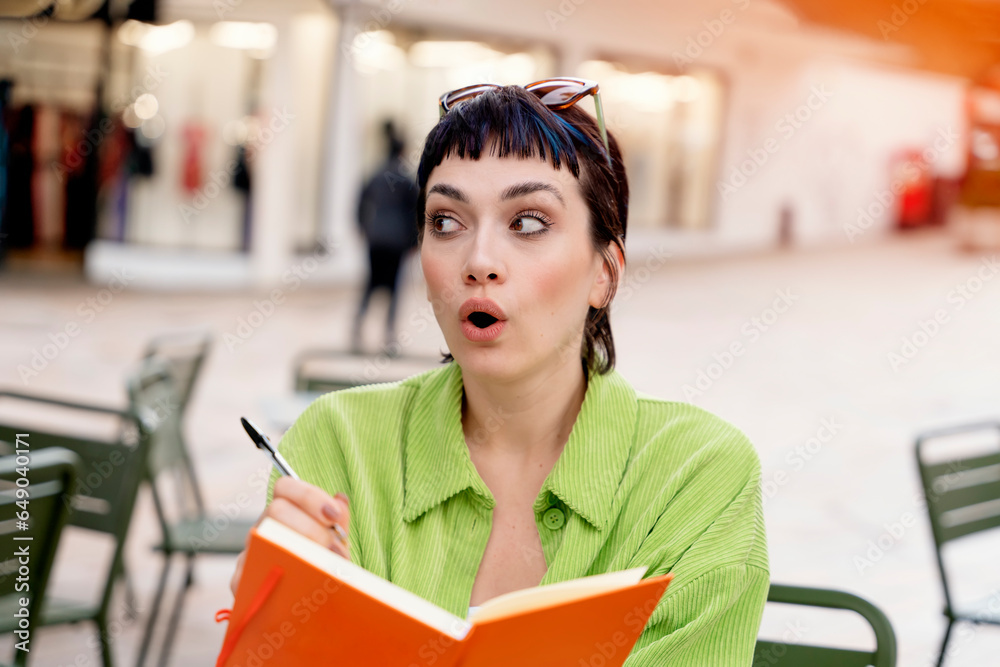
(187, 528)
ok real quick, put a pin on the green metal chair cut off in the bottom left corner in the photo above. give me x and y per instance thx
(51, 475)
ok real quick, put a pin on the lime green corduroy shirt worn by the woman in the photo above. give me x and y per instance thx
(640, 482)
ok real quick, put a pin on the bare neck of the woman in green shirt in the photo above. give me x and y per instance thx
(527, 418)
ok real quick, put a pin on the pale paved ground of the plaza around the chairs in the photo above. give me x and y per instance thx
(831, 413)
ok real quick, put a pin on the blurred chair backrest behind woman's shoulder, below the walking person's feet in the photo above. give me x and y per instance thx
(324, 370)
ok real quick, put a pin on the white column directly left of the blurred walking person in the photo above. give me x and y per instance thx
(341, 176)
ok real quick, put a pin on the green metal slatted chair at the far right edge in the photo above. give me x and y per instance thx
(963, 498)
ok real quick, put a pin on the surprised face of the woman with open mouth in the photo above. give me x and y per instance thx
(516, 232)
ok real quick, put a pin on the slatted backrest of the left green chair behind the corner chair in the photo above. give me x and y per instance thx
(111, 471)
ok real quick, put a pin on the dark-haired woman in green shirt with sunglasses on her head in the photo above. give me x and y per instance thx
(527, 459)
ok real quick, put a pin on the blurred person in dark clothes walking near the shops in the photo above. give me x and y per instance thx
(386, 211)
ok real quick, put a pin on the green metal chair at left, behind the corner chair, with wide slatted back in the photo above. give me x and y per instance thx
(106, 493)
